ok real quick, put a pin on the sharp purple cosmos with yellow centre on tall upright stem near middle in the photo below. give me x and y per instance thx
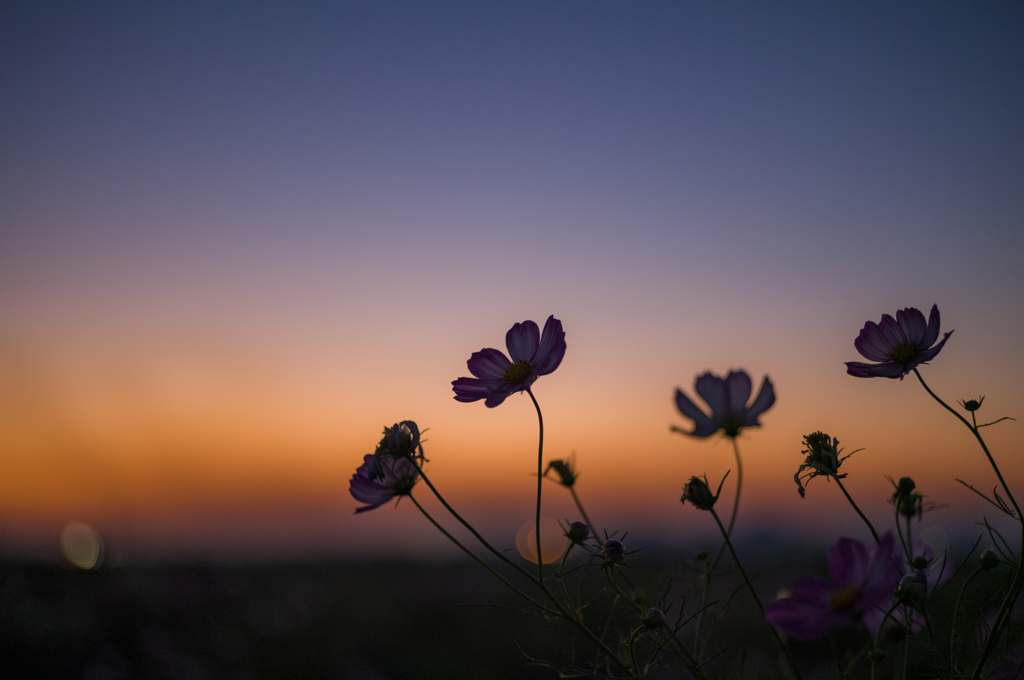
(534, 355)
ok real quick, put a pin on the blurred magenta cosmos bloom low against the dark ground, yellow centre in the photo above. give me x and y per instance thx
(864, 579)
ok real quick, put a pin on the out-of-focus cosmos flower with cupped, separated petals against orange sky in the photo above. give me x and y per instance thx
(728, 400)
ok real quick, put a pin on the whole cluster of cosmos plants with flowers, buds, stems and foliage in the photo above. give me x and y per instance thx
(889, 608)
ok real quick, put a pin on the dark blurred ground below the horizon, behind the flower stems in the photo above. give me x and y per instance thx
(394, 621)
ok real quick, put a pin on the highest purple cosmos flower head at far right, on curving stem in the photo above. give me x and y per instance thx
(900, 345)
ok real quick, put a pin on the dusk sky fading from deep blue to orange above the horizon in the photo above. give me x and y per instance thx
(239, 239)
